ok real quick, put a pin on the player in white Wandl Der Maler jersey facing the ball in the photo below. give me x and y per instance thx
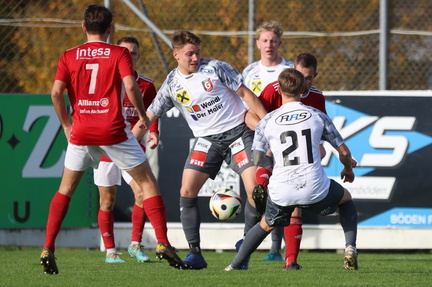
(209, 94)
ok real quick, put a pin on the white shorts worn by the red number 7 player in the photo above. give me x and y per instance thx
(125, 155)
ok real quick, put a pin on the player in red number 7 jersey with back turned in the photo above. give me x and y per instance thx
(97, 75)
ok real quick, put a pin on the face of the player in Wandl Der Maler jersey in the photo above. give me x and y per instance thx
(188, 58)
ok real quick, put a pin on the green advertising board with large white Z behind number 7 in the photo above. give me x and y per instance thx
(32, 151)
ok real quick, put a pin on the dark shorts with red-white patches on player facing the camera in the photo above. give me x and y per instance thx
(233, 146)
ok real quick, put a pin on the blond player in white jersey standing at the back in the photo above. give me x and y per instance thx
(261, 73)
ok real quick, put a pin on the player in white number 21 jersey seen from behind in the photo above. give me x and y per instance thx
(293, 133)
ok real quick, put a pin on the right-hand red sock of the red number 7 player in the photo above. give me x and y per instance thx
(154, 207)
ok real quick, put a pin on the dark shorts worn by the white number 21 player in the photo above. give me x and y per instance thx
(277, 215)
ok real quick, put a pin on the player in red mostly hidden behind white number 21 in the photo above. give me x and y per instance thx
(271, 99)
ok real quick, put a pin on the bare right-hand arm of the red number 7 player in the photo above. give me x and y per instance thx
(135, 97)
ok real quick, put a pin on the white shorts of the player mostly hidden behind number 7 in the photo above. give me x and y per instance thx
(108, 174)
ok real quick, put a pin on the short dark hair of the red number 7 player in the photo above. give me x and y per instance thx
(97, 19)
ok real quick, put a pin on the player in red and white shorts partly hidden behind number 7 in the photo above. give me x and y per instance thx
(107, 176)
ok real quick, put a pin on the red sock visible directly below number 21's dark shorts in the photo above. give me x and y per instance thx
(293, 234)
